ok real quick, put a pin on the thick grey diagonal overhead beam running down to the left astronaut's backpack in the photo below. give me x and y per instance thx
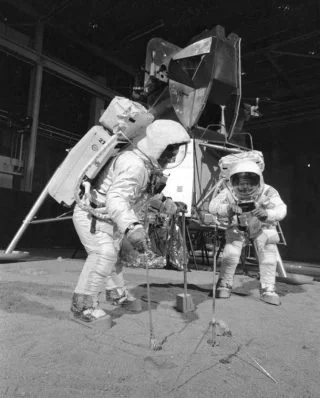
(54, 66)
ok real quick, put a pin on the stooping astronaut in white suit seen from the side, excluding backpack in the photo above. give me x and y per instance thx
(122, 187)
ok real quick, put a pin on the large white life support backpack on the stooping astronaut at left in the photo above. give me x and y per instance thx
(121, 122)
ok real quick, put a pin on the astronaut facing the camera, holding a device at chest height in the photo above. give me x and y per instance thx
(252, 209)
